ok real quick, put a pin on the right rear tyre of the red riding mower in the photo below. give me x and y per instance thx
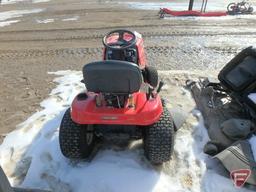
(159, 139)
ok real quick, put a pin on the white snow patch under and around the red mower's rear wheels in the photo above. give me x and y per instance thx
(31, 155)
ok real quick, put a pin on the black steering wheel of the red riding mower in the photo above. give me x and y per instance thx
(119, 39)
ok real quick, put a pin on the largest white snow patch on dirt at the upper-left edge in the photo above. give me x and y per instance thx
(7, 15)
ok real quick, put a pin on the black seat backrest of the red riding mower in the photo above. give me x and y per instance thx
(112, 76)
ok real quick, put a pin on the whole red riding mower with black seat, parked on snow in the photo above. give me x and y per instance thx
(115, 103)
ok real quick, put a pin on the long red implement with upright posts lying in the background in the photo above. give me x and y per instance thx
(191, 12)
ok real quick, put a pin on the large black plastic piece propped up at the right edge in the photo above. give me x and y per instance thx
(239, 77)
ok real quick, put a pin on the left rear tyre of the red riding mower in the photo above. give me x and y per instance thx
(76, 141)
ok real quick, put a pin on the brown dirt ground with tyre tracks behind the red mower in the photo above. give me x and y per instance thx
(29, 50)
